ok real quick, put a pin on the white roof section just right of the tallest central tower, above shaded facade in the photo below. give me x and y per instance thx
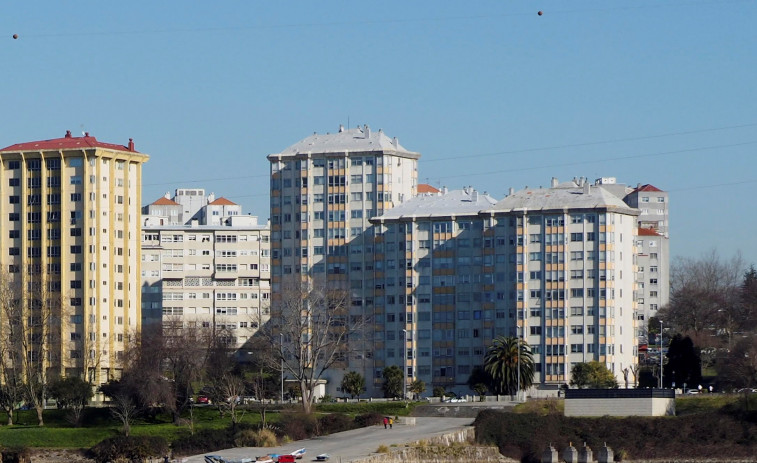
(457, 202)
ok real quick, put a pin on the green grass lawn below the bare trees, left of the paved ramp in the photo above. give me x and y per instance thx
(98, 424)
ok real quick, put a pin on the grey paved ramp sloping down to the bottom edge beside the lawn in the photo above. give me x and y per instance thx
(351, 445)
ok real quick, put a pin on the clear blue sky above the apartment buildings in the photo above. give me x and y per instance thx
(490, 93)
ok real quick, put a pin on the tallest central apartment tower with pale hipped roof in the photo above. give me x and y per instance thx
(324, 190)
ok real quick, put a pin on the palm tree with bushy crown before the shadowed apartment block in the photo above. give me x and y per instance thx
(502, 360)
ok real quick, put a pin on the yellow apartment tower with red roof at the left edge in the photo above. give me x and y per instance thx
(70, 218)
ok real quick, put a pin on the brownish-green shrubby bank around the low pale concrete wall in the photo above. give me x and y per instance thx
(715, 426)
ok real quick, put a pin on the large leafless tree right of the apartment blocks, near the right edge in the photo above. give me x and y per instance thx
(705, 297)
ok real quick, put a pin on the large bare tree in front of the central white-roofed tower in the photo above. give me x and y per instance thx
(308, 333)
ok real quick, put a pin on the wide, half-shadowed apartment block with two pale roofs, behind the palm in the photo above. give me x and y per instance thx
(554, 266)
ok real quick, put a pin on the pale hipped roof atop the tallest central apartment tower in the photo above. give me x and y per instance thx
(361, 139)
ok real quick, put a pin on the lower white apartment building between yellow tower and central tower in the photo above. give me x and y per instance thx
(213, 276)
